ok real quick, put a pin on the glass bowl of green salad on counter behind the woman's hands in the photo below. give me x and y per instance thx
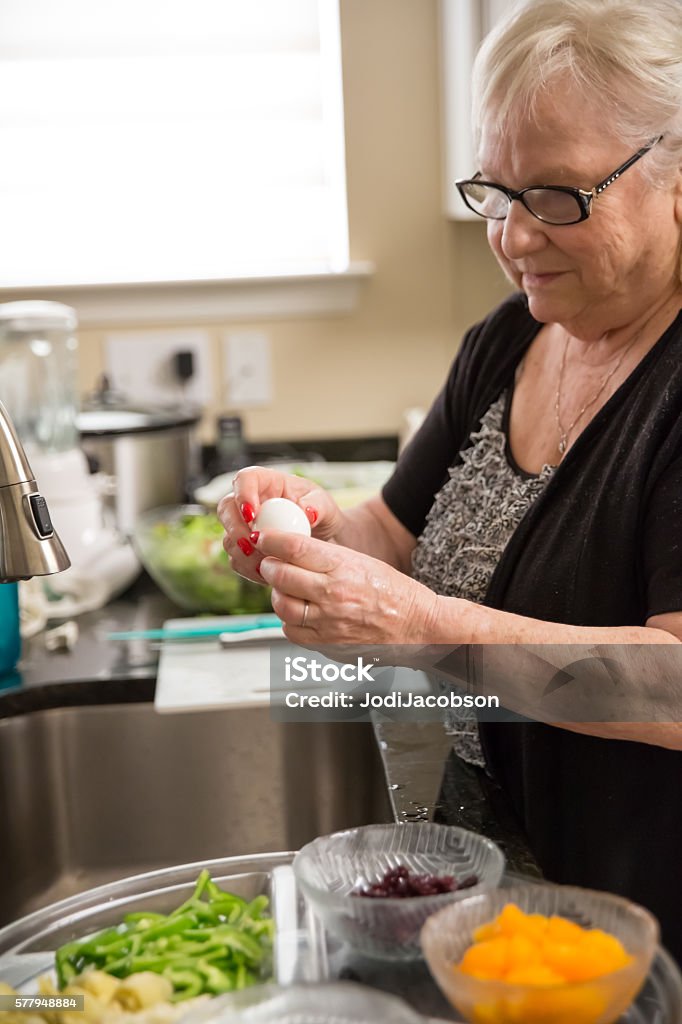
(181, 546)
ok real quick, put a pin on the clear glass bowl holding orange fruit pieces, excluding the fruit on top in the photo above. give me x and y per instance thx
(603, 1001)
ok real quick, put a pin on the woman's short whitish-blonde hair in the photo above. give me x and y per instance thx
(624, 55)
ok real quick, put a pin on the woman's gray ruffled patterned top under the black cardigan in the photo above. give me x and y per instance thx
(471, 523)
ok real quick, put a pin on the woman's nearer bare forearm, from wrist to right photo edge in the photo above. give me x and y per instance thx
(616, 682)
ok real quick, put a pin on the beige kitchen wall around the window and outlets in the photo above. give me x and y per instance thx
(356, 374)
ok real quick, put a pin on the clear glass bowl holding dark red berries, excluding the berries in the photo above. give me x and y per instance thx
(331, 868)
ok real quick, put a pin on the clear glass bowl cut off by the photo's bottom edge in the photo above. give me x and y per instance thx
(340, 1003)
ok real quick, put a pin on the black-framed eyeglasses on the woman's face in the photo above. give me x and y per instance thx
(551, 204)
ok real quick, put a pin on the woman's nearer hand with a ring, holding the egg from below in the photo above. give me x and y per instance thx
(342, 595)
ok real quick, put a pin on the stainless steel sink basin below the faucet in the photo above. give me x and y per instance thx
(89, 795)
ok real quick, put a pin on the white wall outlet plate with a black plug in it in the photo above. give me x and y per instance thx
(141, 364)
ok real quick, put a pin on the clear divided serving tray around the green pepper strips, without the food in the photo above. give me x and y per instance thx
(304, 953)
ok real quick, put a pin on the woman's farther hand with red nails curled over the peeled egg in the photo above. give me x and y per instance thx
(251, 488)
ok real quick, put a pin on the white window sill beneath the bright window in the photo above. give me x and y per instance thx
(317, 294)
